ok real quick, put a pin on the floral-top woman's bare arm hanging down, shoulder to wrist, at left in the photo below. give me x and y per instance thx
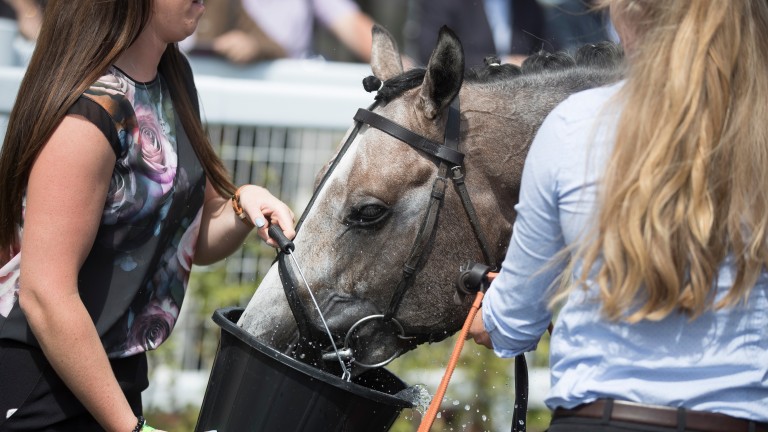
(65, 199)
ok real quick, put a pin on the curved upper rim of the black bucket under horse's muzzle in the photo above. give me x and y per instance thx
(227, 318)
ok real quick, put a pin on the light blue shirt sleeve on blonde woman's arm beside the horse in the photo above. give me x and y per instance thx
(515, 309)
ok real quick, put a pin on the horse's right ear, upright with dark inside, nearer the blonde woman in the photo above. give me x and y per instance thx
(445, 73)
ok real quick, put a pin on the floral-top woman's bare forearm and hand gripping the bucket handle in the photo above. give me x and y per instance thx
(221, 230)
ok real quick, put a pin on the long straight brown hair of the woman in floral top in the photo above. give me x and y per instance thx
(78, 41)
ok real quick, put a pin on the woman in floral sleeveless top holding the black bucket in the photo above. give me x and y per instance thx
(109, 192)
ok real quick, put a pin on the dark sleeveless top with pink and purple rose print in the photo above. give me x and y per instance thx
(134, 279)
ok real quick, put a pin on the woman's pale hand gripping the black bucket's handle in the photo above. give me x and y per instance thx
(263, 209)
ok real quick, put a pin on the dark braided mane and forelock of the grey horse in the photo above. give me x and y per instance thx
(604, 55)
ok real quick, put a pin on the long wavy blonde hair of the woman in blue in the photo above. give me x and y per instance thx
(687, 182)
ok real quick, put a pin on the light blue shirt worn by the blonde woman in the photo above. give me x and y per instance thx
(717, 363)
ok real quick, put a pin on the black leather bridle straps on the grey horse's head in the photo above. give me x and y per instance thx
(450, 161)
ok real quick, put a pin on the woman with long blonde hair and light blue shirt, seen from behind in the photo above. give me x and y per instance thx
(656, 191)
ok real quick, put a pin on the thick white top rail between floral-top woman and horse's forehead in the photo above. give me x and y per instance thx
(283, 93)
